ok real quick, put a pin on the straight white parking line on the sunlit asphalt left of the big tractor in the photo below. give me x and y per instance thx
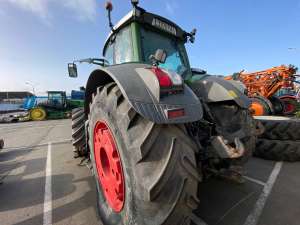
(47, 220)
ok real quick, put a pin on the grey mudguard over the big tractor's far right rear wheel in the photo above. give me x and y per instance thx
(216, 89)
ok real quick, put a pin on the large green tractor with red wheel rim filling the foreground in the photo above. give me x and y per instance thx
(153, 127)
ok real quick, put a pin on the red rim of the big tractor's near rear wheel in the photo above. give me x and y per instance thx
(109, 166)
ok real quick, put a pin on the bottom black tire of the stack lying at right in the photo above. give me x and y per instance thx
(278, 150)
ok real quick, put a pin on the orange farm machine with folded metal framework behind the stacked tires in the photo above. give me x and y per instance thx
(262, 86)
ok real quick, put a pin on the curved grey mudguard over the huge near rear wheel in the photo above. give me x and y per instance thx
(141, 88)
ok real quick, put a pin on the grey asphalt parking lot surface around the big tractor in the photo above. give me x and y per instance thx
(41, 183)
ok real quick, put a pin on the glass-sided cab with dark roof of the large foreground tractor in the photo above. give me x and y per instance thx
(138, 36)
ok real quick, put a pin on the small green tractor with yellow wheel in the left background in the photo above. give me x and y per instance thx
(57, 106)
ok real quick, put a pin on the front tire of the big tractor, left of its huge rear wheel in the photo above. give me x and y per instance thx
(78, 132)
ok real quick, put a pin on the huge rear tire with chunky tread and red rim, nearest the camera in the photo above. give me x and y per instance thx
(157, 162)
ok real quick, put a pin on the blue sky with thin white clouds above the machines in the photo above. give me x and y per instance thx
(39, 37)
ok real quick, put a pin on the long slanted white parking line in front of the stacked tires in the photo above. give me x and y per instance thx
(253, 217)
